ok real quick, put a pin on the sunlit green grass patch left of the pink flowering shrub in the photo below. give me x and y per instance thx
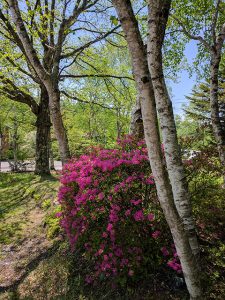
(19, 195)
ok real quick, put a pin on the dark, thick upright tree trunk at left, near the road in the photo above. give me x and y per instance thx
(43, 124)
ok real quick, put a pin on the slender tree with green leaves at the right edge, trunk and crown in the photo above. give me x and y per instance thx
(190, 17)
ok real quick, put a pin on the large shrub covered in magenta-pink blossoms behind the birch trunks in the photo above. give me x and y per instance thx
(106, 212)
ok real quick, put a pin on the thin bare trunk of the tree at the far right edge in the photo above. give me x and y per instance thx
(218, 130)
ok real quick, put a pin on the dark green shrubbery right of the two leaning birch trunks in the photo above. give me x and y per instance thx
(207, 193)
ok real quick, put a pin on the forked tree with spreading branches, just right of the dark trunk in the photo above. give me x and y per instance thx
(31, 25)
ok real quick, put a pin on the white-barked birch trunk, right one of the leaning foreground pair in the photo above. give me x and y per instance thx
(158, 15)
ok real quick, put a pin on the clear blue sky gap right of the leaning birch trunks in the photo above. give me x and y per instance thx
(184, 84)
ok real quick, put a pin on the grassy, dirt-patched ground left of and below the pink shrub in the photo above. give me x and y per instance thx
(34, 264)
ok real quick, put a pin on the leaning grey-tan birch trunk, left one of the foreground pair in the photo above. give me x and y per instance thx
(164, 192)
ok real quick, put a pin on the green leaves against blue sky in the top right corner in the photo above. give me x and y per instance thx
(197, 18)
